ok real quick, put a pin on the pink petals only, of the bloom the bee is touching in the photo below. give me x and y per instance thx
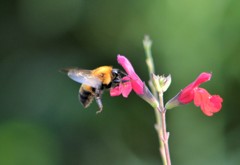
(134, 83)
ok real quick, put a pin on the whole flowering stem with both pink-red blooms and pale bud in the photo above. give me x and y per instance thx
(208, 103)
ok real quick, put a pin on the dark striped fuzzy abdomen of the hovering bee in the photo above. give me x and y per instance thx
(85, 97)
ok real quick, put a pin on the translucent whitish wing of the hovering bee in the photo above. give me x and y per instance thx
(83, 76)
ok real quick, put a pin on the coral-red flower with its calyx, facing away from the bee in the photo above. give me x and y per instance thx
(208, 103)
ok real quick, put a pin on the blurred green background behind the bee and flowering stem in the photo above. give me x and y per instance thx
(41, 120)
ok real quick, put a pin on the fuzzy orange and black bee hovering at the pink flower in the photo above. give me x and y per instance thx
(94, 82)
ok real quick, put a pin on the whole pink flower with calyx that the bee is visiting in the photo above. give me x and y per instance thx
(132, 82)
